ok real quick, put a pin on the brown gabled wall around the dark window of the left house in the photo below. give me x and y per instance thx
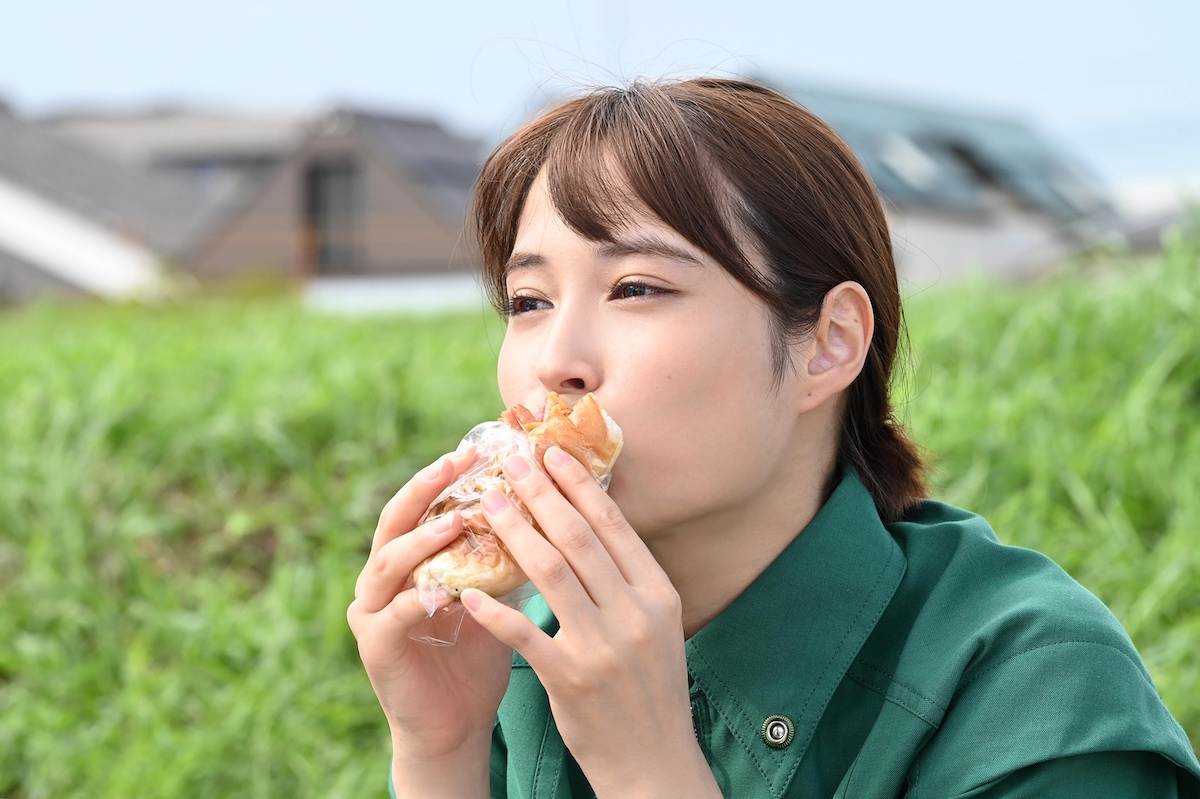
(399, 231)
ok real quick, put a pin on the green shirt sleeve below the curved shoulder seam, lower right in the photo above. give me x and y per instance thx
(1069, 712)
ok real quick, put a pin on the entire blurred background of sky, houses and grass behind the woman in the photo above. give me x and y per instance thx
(238, 313)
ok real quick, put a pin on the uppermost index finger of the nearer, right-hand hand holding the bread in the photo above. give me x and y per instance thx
(604, 519)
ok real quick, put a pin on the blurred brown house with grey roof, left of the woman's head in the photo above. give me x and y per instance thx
(340, 195)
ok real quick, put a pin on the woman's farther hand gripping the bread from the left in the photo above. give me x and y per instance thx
(440, 702)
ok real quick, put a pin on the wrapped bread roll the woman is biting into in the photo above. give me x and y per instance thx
(478, 558)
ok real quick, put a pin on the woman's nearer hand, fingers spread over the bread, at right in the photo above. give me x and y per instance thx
(616, 672)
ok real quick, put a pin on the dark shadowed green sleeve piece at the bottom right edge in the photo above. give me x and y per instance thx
(1131, 776)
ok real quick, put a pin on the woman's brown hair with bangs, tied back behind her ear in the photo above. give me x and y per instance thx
(727, 163)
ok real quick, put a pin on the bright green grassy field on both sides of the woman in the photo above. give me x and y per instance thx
(188, 494)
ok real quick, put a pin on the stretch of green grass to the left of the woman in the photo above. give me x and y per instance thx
(188, 496)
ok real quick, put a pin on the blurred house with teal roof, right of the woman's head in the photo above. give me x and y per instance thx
(965, 193)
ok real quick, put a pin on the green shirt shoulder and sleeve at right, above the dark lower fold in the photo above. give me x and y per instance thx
(1021, 664)
